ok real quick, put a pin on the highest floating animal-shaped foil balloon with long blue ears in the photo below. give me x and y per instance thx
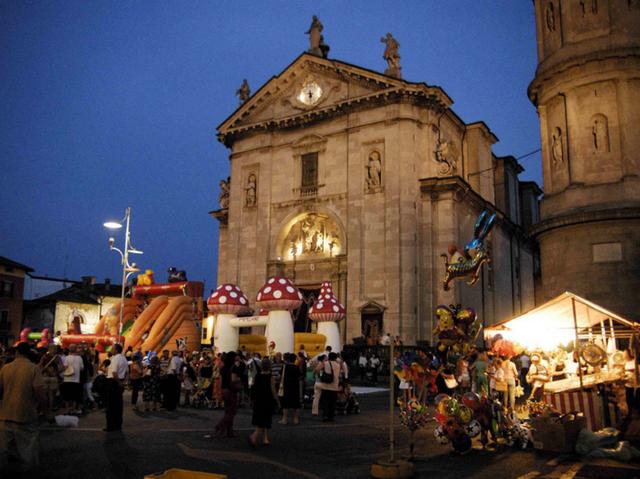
(468, 264)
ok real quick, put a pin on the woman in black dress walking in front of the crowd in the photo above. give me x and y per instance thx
(264, 401)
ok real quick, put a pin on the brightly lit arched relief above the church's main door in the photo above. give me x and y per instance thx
(312, 235)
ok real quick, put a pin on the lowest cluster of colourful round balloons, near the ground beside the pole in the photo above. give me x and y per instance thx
(456, 420)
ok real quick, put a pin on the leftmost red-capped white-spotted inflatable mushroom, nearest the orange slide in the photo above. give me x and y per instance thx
(227, 301)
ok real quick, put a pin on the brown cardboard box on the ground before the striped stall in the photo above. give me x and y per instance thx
(552, 435)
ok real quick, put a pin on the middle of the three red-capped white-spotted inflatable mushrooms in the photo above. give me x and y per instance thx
(279, 296)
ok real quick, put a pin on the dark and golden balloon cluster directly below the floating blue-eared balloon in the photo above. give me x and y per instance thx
(457, 328)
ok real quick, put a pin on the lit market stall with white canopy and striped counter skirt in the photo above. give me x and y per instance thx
(588, 341)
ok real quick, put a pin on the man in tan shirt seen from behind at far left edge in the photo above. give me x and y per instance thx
(22, 391)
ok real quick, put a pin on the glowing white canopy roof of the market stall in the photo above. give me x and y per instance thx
(554, 322)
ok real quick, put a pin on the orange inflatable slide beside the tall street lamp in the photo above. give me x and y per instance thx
(157, 316)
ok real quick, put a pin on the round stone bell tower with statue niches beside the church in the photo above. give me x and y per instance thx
(587, 92)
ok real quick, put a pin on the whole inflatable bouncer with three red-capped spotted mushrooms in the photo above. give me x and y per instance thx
(276, 300)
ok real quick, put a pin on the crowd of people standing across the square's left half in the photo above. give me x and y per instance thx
(53, 382)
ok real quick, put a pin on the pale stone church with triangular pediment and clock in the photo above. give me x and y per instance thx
(344, 174)
